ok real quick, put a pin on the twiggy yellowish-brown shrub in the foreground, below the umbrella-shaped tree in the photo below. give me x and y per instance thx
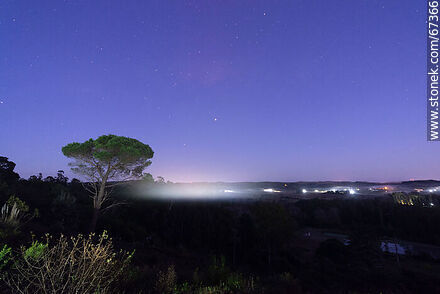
(68, 265)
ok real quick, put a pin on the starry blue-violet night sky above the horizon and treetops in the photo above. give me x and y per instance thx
(221, 90)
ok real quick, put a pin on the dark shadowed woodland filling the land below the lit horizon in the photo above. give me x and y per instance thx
(233, 247)
